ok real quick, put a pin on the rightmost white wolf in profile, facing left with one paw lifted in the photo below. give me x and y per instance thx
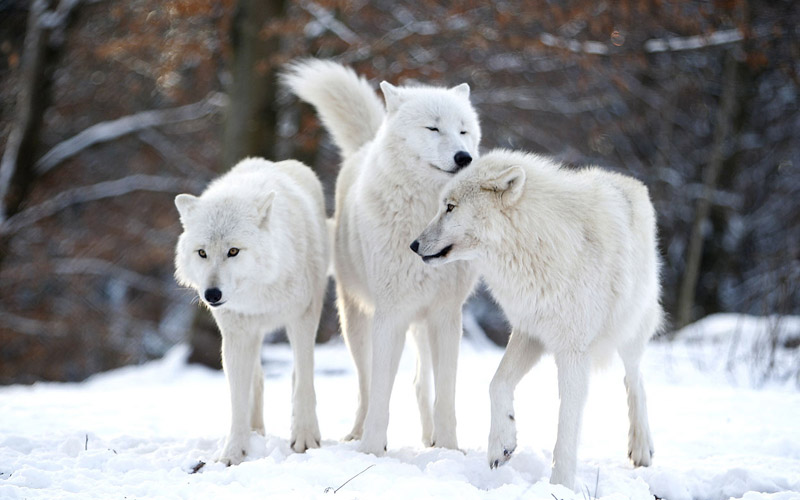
(571, 257)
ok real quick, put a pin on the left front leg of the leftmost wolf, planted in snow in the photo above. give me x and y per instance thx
(241, 352)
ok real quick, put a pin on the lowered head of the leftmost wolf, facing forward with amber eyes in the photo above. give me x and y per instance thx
(225, 249)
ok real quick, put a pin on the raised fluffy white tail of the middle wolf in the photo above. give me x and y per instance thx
(349, 108)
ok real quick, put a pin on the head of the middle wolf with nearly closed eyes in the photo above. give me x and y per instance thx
(437, 128)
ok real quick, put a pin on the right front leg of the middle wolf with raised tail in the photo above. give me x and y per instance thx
(444, 335)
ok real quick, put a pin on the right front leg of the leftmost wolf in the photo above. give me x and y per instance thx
(305, 428)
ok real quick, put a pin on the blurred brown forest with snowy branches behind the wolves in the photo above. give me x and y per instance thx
(109, 108)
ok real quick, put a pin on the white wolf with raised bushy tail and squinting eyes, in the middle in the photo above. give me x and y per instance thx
(395, 161)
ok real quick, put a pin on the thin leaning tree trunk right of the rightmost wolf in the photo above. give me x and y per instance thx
(719, 153)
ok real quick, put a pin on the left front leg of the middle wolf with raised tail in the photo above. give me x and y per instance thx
(388, 333)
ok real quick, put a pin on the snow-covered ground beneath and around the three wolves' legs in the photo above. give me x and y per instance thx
(721, 429)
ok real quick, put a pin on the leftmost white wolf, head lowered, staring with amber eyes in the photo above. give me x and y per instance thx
(255, 247)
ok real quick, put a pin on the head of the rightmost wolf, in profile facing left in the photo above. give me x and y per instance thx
(470, 205)
